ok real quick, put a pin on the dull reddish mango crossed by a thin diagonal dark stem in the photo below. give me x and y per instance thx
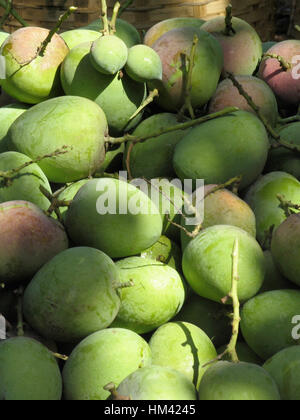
(228, 95)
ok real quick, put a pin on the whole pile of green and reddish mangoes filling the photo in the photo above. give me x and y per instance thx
(109, 289)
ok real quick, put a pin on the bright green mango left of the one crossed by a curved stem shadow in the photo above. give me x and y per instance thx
(106, 356)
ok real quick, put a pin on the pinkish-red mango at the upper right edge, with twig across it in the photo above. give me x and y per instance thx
(284, 83)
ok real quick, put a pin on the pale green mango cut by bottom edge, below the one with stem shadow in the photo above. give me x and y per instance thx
(157, 383)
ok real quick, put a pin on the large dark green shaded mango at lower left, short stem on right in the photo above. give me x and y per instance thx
(73, 295)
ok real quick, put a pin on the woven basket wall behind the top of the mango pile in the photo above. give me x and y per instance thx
(145, 13)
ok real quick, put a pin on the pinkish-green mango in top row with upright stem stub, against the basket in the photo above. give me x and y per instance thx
(242, 50)
